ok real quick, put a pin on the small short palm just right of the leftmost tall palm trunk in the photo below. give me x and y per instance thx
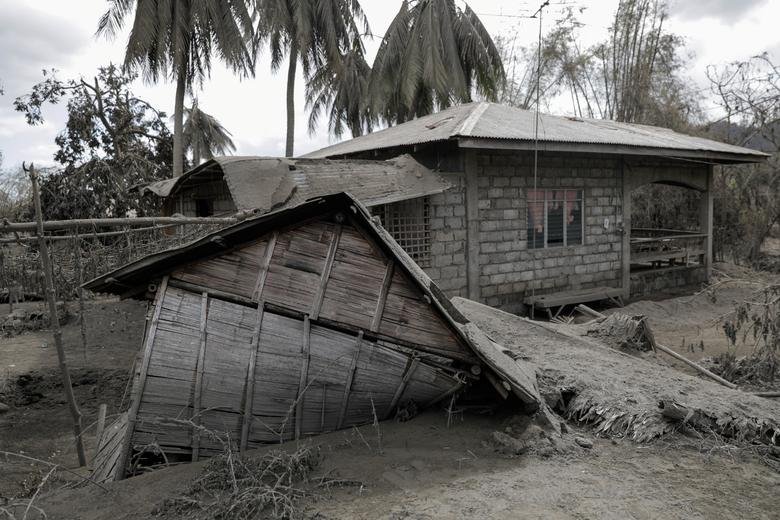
(204, 136)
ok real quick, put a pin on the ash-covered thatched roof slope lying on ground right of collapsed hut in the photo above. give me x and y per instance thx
(618, 394)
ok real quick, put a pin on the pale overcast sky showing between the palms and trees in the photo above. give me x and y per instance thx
(45, 34)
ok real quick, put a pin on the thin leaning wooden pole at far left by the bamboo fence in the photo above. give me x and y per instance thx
(54, 320)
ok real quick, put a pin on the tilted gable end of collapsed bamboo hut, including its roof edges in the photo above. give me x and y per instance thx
(312, 311)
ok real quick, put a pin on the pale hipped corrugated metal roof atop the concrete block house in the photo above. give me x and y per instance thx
(493, 121)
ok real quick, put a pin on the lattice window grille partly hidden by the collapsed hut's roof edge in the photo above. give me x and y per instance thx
(409, 222)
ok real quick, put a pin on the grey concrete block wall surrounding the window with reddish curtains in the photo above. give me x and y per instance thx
(509, 269)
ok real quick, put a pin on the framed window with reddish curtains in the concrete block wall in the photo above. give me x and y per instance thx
(555, 218)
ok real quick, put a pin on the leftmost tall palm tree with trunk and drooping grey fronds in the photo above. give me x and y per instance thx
(176, 39)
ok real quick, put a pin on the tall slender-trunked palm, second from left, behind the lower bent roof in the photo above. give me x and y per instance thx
(314, 32)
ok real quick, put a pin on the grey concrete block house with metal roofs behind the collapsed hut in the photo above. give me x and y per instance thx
(488, 218)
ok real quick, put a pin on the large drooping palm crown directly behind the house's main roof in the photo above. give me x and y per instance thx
(433, 55)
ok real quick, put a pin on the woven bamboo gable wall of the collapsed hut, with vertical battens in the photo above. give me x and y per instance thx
(312, 329)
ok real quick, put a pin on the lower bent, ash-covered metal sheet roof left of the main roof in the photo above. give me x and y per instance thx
(265, 183)
